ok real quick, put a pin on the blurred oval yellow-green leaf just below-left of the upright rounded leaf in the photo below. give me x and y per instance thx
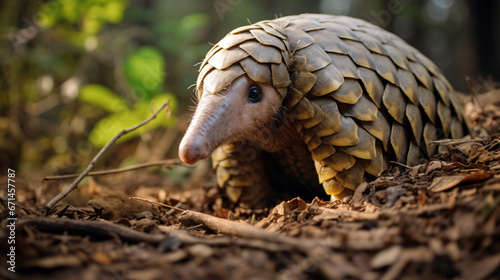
(102, 97)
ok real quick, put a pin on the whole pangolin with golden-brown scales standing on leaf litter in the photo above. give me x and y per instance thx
(329, 99)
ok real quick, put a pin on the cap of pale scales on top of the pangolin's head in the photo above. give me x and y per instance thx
(261, 50)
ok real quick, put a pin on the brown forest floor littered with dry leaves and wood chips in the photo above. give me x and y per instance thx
(437, 220)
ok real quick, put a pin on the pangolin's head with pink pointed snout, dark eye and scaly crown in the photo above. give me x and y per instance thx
(241, 86)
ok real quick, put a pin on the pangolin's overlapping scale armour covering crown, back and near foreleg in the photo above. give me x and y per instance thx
(360, 95)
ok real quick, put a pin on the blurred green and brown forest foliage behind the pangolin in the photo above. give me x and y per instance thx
(75, 72)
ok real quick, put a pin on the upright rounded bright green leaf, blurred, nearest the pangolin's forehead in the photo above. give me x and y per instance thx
(145, 72)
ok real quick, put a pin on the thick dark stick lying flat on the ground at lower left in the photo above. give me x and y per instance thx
(97, 229)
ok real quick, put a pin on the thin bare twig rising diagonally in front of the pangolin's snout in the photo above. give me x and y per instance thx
(74, 185)
